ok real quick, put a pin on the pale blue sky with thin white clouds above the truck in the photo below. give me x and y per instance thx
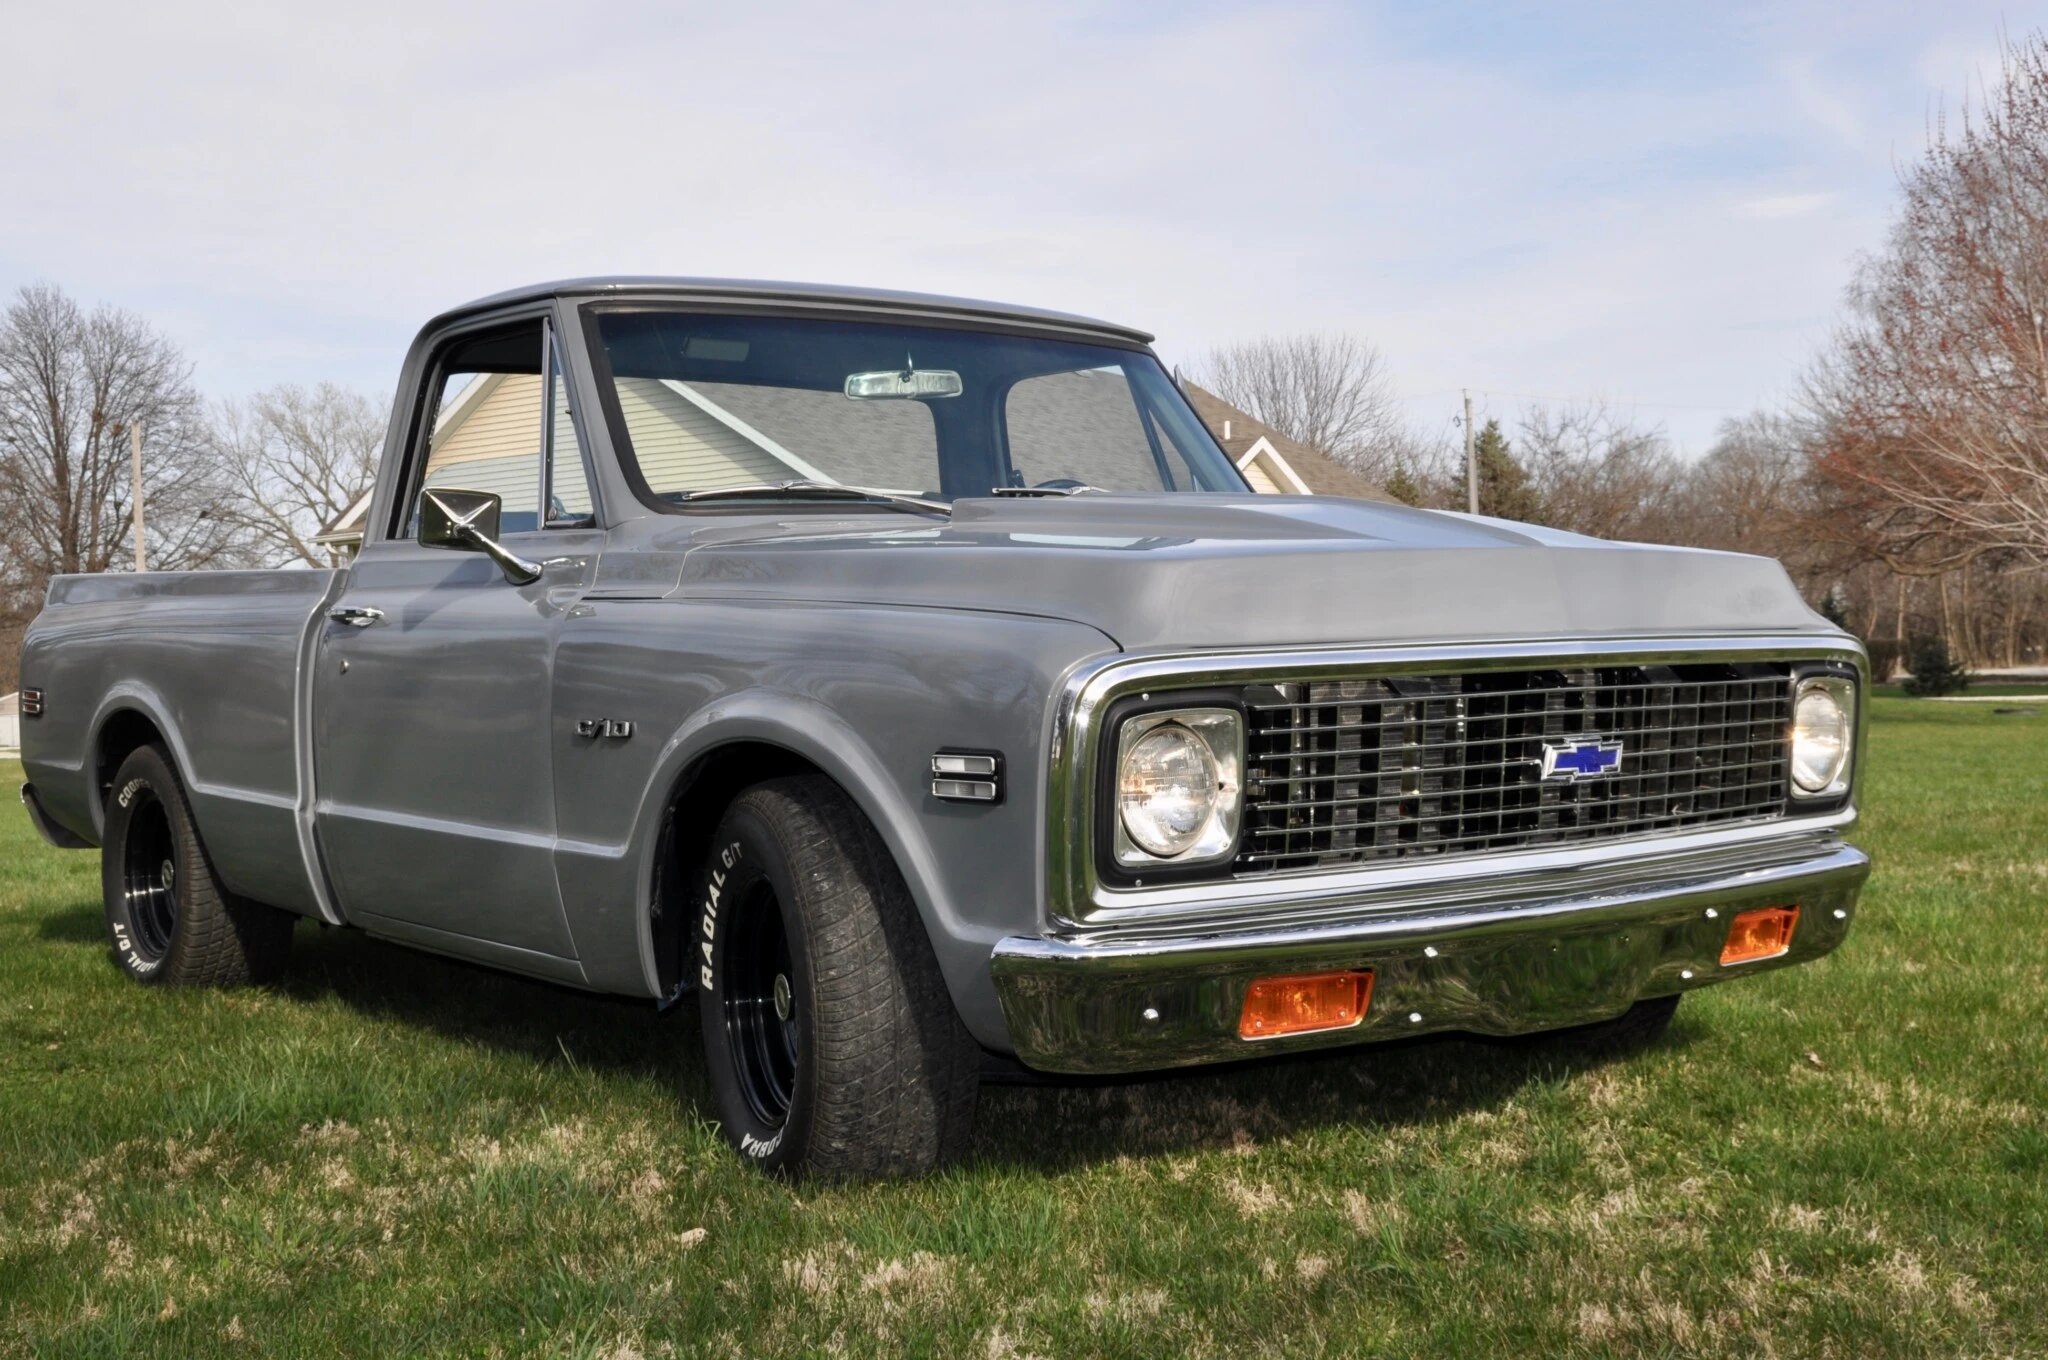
(1654, 206)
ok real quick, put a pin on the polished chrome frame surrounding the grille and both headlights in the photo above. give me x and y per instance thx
(1078, 900)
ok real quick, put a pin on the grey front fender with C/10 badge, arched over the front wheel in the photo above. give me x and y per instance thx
(861, 693)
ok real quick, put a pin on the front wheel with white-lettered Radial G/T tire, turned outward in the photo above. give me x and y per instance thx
(830, 1039)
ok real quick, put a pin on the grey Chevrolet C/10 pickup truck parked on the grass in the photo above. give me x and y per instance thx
(921, 685)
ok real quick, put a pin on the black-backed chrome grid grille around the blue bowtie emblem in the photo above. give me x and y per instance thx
(1406, 767)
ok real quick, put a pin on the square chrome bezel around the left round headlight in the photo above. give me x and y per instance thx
(1213, 718)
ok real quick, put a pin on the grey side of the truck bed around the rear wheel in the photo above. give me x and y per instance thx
(216, 658)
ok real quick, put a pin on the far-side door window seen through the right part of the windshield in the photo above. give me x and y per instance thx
(1082, 427)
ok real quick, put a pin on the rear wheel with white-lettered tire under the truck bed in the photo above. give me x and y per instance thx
(171, 919)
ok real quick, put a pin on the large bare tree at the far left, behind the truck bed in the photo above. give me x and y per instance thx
(71, 386)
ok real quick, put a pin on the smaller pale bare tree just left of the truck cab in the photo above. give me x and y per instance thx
(298, 460)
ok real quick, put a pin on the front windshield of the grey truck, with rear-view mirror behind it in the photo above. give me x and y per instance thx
(730, 402)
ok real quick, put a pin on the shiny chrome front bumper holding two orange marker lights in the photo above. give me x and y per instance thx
(1089, 1005)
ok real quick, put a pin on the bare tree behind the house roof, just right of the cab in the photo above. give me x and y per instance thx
(1328, 392)
